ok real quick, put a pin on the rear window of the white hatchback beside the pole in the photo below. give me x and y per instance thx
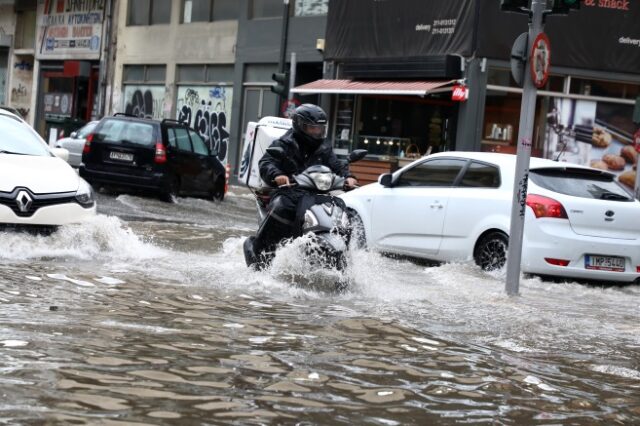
(583, 183)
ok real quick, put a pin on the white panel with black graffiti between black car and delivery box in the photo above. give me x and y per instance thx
(208, 111)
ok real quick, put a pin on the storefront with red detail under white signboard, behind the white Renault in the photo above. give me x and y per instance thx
(68, 49)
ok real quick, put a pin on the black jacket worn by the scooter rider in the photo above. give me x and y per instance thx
(271, 167)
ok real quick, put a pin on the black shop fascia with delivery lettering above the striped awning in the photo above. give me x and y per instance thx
(363, 29)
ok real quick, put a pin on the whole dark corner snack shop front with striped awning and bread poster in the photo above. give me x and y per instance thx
(590, 95)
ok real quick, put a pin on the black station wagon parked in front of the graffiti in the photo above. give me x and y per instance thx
(165, 157)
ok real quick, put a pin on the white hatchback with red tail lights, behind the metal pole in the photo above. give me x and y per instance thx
(455, 206)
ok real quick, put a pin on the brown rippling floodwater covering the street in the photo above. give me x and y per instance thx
(148, 316)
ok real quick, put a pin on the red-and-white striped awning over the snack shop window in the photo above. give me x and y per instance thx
(374, 87)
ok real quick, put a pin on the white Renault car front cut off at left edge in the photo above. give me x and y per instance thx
(36, 186)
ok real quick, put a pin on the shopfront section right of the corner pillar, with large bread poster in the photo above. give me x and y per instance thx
(585, 113)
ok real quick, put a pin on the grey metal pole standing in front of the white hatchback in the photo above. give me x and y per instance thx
(525, 135)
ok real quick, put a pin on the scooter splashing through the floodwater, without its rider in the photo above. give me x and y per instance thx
(326, 221)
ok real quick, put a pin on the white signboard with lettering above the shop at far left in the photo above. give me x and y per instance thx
(69, 29)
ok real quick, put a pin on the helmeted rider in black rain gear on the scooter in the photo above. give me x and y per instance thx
(305, 145)
